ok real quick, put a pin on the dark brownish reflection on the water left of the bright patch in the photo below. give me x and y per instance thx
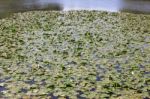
(12, 6)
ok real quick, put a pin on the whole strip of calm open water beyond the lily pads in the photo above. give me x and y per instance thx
(136, 6)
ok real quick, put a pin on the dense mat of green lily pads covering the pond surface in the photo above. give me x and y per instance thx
(75, 54)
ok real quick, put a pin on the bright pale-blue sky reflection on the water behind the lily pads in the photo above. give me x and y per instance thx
(109, 5)
